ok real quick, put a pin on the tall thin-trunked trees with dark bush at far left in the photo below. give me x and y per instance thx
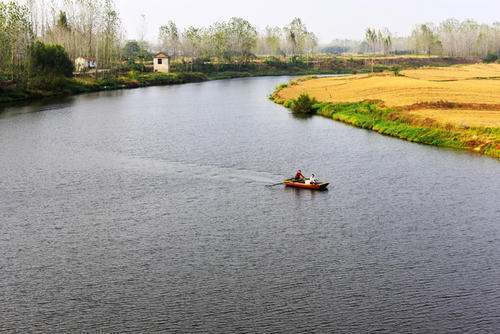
(38, 39)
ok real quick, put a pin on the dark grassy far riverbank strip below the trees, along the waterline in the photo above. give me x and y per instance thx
(264, 66)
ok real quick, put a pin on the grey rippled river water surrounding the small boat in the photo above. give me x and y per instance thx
(146, 210)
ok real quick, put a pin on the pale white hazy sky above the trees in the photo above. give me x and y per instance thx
(328, 19)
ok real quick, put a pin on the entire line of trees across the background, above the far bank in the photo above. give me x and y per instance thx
(66, 29)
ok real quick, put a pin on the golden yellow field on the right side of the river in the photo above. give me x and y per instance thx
(474, 87)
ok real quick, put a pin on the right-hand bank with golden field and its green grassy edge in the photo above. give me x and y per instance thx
(456, 107)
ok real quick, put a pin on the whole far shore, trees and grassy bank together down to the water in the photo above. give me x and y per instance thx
(78, 46)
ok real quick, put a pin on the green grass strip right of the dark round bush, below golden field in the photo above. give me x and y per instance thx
(368, 115)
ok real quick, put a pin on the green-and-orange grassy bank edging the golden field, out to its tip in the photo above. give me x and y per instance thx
(375, 116)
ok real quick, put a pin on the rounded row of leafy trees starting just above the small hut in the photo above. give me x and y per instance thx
(237, 39)
